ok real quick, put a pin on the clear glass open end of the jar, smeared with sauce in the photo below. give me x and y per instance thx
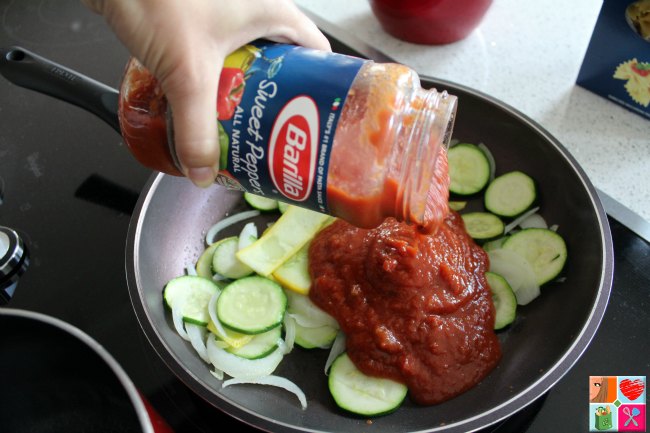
(389, 156)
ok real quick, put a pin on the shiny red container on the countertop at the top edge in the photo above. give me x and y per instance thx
(430, 21)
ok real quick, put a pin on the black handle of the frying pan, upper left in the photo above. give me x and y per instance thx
(34, 72)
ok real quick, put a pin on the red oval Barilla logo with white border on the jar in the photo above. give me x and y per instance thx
(293, 147)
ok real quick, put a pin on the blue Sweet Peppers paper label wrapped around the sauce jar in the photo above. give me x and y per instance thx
(279, 112)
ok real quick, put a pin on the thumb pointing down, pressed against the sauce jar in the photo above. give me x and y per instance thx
(192, 95)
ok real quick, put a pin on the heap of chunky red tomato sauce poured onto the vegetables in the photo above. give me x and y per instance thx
(415, 308)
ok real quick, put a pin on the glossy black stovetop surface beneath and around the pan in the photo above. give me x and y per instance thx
(68, 185)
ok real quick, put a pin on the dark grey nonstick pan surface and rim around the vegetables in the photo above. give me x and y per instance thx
(549, 335)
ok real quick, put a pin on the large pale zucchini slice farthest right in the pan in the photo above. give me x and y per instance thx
(544, 249)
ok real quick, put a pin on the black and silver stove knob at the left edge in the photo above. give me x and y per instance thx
(14, 259)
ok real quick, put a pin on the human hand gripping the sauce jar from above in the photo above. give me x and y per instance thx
(184, 43)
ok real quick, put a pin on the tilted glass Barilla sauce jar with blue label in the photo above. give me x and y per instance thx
(336, 134)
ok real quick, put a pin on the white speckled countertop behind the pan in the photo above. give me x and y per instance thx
(527, 53)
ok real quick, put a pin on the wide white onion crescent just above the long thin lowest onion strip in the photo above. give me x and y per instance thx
(239, 367)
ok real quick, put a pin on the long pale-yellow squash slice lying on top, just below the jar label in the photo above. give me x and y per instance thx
(286, 236)
